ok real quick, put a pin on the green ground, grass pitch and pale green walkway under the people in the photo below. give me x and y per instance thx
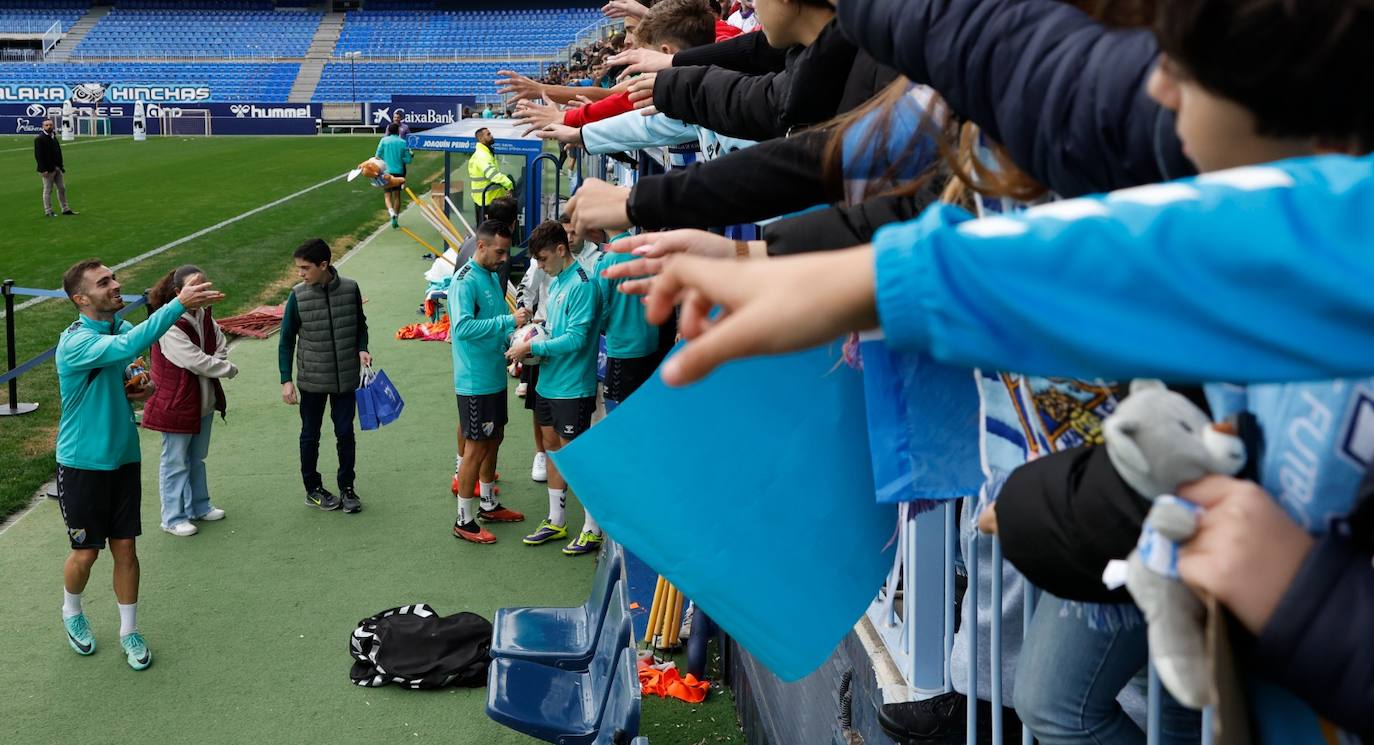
(249, 621)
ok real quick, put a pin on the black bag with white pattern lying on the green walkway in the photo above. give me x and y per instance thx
(417, 648)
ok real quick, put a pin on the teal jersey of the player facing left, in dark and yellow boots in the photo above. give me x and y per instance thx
(570, 369)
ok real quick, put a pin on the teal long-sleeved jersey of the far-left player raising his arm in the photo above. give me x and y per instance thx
(97, 430)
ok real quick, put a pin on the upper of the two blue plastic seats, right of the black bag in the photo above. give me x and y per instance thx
(560, 637)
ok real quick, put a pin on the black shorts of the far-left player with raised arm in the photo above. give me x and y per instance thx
(101, 505)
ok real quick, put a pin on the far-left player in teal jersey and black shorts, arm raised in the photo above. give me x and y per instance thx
(98, 443)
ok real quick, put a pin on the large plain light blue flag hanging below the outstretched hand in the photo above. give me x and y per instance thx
(751, 493)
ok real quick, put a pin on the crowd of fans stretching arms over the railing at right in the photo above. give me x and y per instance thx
(975, 131)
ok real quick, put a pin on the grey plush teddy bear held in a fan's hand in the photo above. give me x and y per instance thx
(1159, 441)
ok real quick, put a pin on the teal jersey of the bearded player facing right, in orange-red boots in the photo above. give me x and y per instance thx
(479, 328)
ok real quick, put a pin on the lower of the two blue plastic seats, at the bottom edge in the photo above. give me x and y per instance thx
(559, 706)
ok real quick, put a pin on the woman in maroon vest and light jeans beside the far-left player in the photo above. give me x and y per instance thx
(189, 364)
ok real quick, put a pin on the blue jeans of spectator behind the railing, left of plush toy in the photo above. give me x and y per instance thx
(1070, 677)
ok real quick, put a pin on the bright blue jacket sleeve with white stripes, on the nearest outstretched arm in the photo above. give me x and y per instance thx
(1250, 276)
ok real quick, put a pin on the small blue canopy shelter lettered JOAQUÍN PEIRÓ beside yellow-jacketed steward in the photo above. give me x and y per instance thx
(462, 138)
